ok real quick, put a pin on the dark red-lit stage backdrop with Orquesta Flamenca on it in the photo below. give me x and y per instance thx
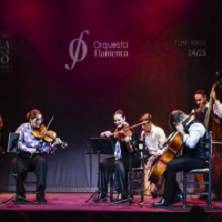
(81, 60)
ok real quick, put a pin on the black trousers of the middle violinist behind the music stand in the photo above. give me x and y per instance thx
(119, 169)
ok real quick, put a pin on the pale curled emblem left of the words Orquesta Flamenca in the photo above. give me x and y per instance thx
(80, 51)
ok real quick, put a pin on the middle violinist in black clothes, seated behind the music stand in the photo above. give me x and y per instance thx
(119, 163)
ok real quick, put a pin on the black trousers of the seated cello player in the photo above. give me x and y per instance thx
(177, 165)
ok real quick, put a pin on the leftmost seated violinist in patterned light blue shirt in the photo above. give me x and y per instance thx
(31, 157)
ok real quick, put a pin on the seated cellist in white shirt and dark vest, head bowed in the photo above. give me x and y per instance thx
(193, 156)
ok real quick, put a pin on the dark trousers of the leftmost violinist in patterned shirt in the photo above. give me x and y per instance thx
(25, 163)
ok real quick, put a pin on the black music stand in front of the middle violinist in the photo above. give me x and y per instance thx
(99, 146)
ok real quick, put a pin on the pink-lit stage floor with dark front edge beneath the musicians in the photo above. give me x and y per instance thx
(73, 207)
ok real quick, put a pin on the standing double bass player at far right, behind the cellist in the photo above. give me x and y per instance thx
(202, 105)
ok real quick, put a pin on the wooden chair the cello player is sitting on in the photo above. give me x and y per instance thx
(206, 171)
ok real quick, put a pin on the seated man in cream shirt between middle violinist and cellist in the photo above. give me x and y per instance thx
(153, 138)
